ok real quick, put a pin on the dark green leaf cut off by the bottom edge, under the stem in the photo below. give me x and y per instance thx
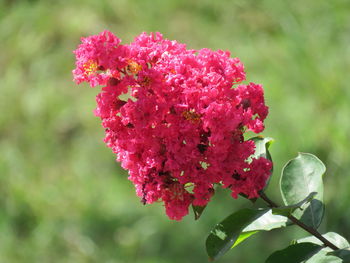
(294, 253)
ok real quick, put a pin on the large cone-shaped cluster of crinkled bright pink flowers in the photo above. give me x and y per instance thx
(176, 117)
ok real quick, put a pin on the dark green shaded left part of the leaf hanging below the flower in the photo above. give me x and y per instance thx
(225, 234)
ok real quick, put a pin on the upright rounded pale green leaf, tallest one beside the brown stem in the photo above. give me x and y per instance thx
(300, 177)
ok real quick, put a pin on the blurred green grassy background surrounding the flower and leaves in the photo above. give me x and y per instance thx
(63, 198)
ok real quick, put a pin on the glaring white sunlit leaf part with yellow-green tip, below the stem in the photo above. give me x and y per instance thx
(266, 222)
